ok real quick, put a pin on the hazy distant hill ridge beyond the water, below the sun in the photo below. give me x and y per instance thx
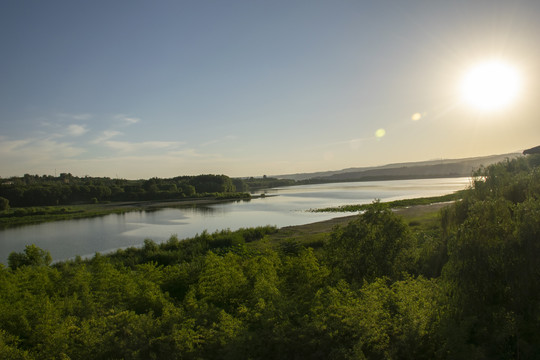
(410, 170)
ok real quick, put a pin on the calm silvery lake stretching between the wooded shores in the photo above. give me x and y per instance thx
(287, 206)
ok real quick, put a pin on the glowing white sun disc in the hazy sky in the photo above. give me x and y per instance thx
(491, 85)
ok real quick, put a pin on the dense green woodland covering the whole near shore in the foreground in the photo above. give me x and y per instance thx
(465, 287)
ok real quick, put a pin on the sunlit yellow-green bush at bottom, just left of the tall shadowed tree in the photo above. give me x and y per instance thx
(381, 320)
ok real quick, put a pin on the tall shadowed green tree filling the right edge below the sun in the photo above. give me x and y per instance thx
(492, 272)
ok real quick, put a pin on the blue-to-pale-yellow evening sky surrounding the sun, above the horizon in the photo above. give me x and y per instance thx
(139, 89)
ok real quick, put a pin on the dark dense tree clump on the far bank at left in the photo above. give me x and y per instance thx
(33, 190)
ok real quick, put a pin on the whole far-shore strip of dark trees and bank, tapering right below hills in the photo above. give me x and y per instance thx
(66, 189)
